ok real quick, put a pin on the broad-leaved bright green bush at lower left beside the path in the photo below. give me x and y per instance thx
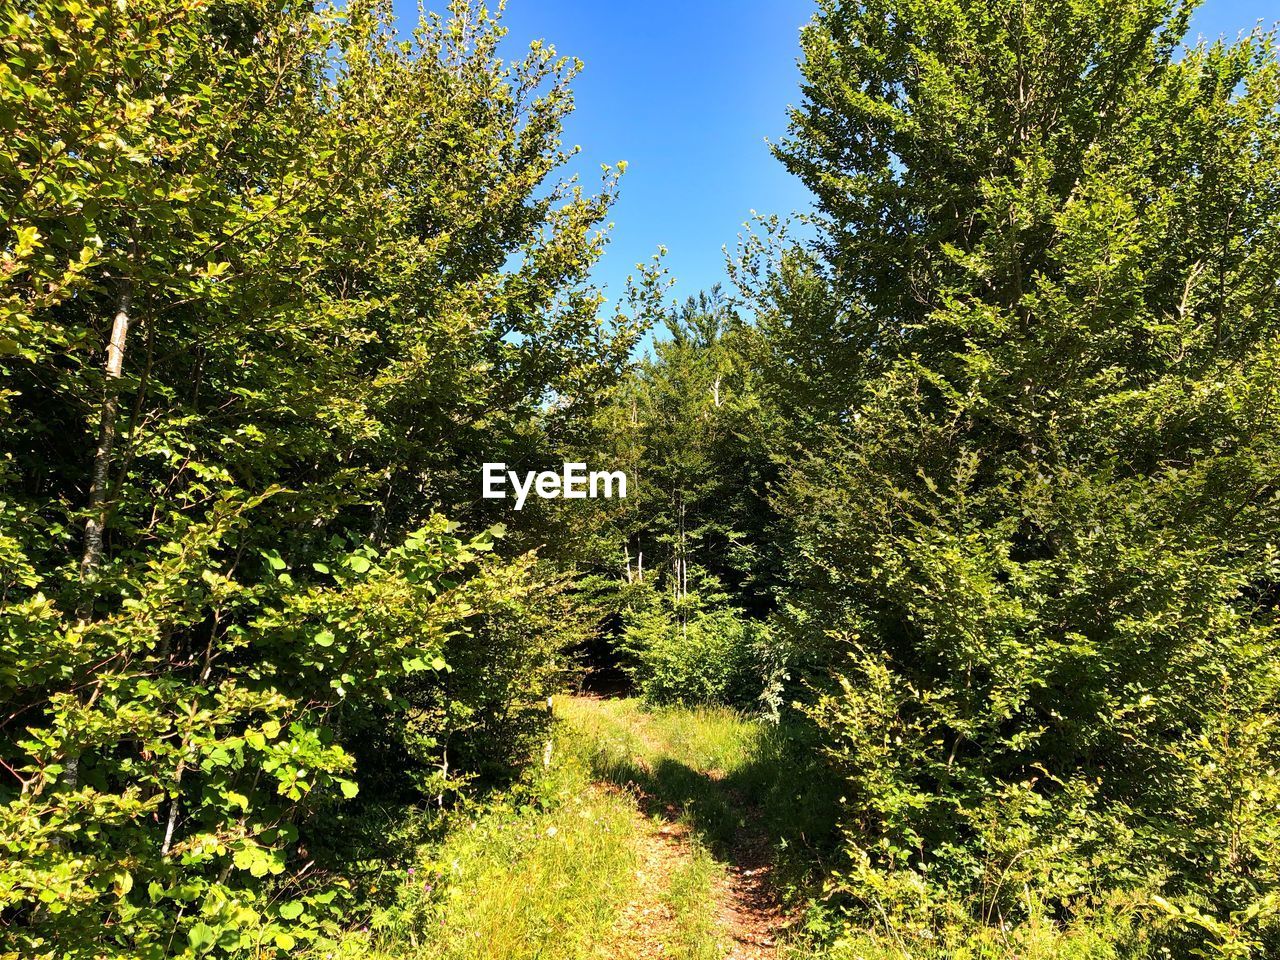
(179, 779)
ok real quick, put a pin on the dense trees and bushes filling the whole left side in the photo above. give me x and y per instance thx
(271, 280)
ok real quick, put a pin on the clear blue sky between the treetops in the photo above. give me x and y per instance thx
(687, 94)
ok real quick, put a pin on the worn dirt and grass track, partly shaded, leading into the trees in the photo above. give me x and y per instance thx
(707, 856)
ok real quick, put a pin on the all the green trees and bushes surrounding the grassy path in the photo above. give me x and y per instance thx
(966, 495)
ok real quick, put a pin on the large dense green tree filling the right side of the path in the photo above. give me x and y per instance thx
(1034, 502)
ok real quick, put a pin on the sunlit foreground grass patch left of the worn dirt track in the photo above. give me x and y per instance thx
(545, 874)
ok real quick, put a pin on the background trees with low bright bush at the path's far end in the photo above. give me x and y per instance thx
(679, 564)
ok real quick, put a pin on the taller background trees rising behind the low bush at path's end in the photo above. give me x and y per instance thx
(688, 427)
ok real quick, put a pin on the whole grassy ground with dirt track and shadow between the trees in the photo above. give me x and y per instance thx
(644, 839)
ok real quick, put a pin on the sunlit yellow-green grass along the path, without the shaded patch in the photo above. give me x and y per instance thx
(552, 870)
